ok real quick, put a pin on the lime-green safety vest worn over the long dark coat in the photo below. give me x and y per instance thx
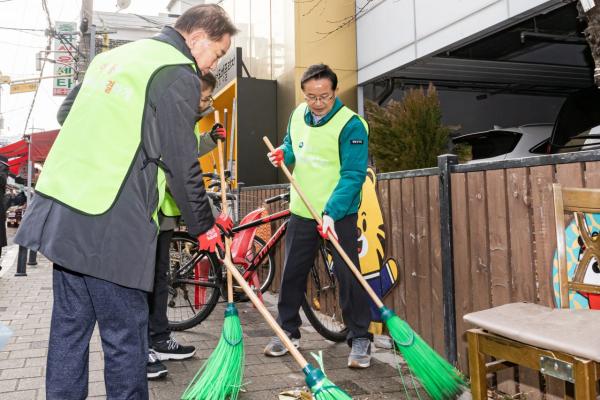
(107, 118)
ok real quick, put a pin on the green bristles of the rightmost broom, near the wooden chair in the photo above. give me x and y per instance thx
(440, 379)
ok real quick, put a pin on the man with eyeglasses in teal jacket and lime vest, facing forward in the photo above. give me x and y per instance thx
(328, 145)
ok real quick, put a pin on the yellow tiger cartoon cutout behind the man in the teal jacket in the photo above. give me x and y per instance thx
(380, 273)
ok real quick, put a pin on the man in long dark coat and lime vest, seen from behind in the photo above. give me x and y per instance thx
(94, 214)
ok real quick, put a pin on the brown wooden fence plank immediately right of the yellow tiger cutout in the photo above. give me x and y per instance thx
(395, 245)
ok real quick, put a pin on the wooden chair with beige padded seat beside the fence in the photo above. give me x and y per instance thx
(560, 342)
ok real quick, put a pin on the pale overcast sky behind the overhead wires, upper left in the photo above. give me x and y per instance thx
(18, 51)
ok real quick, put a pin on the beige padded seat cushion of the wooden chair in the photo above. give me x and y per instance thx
(576, 332)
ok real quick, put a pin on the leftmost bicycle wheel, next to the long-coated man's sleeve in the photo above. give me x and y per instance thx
(193, 283)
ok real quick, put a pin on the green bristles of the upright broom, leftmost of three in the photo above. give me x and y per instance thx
(221, 375)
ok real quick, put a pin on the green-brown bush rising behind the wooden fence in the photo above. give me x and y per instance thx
(407, 134)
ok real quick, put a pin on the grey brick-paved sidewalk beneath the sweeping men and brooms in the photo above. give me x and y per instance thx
(26, 304)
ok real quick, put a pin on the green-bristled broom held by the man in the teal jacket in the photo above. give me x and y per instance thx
(440, 379)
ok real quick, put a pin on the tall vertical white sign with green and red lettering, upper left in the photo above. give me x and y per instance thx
(65, 49)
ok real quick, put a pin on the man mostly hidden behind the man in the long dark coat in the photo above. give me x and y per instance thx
(162, 344)
